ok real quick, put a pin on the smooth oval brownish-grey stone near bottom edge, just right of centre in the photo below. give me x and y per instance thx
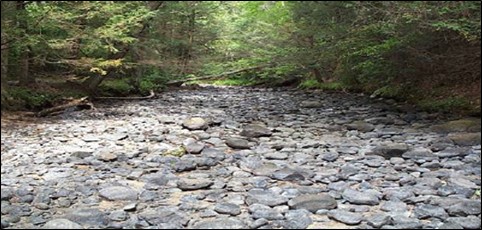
(313, 202)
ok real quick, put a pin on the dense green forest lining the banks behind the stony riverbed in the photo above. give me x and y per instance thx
(424, 53)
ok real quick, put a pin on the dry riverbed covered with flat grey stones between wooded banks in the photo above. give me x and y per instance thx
(298, 159)
